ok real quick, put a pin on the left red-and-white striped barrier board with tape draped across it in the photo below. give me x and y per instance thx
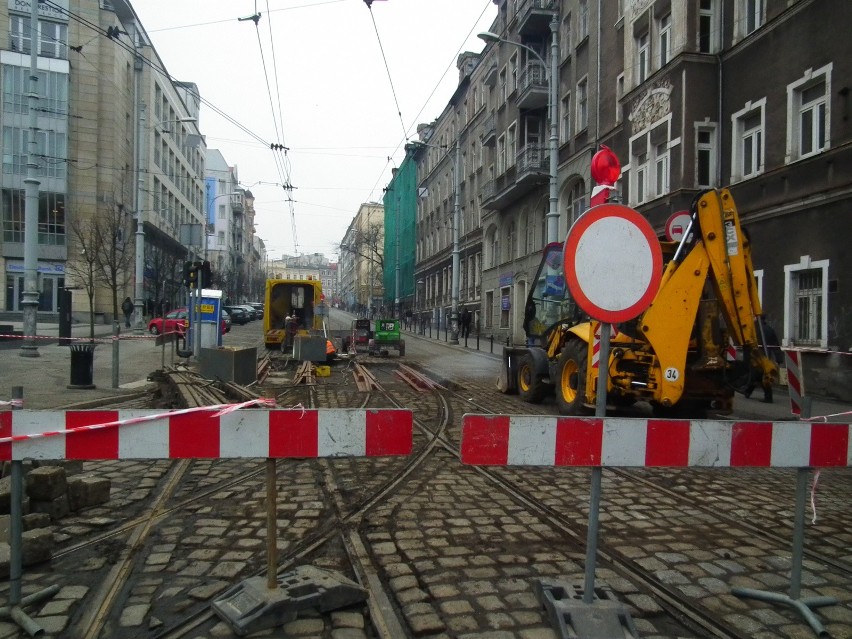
(207, 433)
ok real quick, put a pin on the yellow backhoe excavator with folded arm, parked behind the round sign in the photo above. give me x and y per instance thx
(673, 355)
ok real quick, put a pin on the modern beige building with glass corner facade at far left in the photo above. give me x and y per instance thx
(118, 159)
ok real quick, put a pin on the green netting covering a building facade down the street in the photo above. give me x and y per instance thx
(400, 202)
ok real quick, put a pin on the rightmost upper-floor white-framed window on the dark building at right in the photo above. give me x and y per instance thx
(808, 114)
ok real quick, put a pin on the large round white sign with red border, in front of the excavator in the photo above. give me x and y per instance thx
(613, 263)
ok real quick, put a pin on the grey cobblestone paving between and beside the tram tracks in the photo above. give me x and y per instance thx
(456, 556)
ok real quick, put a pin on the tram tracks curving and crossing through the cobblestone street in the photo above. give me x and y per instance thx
(353, 491)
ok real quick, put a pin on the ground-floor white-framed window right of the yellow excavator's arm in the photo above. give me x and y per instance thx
(806, 300)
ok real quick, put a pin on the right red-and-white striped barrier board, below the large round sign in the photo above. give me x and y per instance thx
(521, 440)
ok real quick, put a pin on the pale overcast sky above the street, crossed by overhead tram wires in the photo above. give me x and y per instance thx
(330, 99)
